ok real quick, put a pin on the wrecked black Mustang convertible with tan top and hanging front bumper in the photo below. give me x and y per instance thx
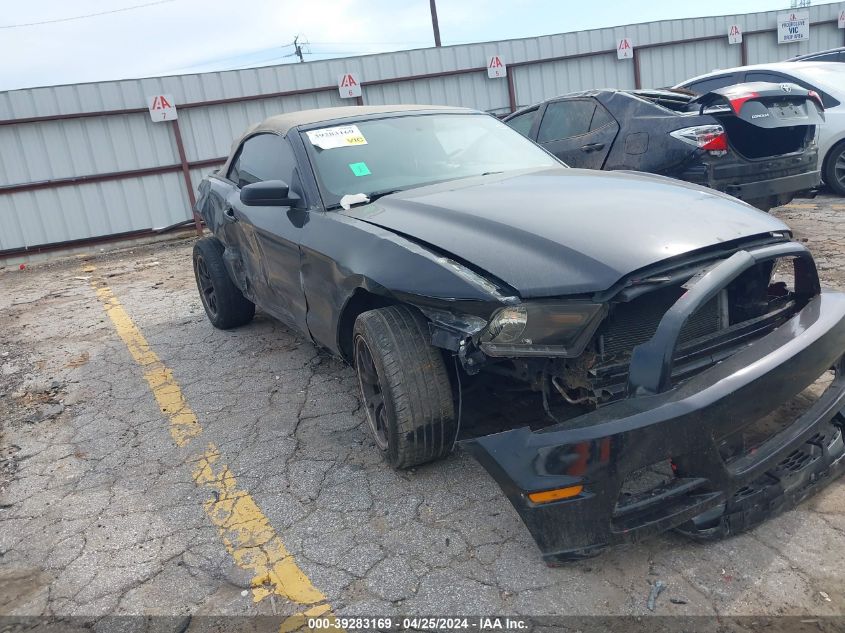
(658, 322)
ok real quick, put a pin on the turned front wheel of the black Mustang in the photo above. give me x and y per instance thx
(405, 388)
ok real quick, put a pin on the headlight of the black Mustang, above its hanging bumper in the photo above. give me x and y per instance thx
(542, 329)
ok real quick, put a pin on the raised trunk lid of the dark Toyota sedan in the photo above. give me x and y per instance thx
(764, 104)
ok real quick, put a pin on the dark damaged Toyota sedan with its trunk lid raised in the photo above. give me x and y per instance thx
(755, 141)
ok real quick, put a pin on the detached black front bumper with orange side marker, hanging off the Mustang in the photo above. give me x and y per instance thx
(708, 497)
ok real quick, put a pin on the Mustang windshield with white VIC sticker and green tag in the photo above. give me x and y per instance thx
(391, 154)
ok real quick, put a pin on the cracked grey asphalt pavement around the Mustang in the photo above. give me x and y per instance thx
(101, 512)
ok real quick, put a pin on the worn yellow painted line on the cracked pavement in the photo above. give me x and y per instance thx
(245, 530)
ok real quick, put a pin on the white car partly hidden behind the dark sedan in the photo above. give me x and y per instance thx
(827, 79)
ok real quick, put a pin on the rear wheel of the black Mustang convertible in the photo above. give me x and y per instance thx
(224, 303)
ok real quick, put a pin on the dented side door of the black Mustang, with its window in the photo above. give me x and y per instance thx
(270, 235)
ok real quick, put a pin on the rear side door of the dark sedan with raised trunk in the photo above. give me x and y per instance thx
(578, 131)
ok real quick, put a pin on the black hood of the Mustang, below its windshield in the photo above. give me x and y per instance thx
(565, 231)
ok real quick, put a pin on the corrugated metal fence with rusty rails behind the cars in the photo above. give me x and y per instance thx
(82, 162)
